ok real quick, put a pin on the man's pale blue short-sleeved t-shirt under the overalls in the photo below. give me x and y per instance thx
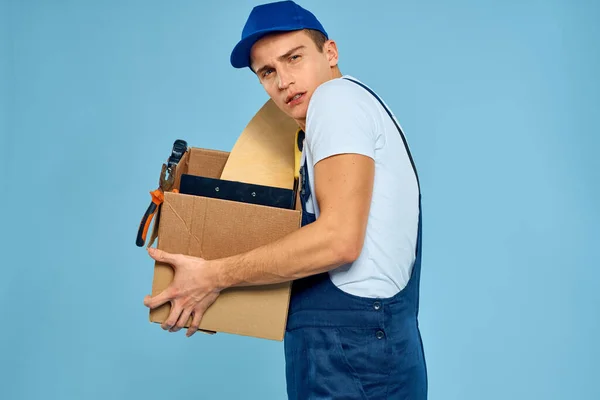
(345, 118)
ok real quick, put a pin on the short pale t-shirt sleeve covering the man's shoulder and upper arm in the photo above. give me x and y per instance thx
(340, 120)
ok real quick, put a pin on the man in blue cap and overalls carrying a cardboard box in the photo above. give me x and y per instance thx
(352, 331)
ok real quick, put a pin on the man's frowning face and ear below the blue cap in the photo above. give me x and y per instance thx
(290, 68)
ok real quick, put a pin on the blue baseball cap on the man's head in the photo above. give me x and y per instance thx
(281, 16)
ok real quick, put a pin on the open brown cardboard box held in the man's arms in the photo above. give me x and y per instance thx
(214, 228)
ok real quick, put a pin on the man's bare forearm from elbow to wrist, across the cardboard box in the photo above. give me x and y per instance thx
(314, 248)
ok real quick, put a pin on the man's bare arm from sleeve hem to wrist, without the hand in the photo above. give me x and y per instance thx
(343, 185)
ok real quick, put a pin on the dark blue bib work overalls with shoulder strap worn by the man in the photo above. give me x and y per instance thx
(342, 346)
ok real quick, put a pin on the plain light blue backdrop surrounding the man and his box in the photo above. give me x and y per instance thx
(500, 102)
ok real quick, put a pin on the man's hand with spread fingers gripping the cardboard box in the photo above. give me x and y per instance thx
(192, 291)
